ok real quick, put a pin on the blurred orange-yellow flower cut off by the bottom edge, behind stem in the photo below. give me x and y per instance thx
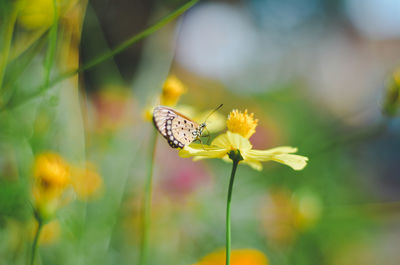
(238, 257)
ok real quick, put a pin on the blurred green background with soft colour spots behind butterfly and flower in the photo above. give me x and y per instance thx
(319, 75)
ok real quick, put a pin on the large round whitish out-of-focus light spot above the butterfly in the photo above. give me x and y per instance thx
(216, 40)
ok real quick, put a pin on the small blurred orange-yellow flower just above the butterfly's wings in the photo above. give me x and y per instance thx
(172, 90)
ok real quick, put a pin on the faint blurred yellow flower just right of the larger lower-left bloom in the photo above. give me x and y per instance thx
(86, 181)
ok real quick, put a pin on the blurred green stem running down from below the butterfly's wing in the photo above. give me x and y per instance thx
(146, 214)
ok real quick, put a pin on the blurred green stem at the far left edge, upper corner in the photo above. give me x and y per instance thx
(6, 38)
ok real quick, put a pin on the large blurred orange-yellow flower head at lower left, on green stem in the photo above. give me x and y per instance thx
(51, 177)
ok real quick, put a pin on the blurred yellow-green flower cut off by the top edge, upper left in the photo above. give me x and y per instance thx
(35, 14)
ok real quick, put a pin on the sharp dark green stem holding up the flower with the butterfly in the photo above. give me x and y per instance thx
(236, 157)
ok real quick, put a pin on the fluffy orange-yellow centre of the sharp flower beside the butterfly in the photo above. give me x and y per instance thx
(242, 123)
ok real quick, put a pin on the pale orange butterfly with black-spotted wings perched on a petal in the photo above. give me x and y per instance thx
(178, 129)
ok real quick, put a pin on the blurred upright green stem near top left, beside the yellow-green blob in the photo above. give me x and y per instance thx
(51, 50)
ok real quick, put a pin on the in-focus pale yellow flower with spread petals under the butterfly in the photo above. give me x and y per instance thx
(223, 145)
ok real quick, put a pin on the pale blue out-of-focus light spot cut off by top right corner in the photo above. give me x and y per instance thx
(377, 19)
